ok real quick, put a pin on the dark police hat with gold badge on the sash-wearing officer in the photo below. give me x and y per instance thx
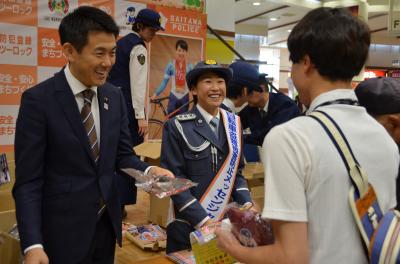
(207, 66)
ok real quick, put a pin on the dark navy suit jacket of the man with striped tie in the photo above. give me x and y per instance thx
(58, 183)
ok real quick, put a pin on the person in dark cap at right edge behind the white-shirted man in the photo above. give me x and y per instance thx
(381, 98)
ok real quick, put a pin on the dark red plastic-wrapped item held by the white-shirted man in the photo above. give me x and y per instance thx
(248, 226)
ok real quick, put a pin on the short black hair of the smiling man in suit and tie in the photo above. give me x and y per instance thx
(76, 26)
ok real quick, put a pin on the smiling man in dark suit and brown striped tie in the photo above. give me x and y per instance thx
(71, 136)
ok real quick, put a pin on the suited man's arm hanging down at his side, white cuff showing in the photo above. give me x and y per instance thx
(30, 150)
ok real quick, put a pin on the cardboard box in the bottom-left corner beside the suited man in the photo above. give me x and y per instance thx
(10, 251)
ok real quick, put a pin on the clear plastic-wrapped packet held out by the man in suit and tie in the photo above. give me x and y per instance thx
(161, 186)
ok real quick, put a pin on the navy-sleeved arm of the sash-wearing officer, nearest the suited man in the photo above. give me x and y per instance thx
(186, 205)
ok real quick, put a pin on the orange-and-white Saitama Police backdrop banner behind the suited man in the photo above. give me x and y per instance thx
(30, 49)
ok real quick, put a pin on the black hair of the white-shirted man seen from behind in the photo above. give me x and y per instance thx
(336, 41)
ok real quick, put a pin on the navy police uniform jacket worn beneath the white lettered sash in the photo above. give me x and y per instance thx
(196, 166)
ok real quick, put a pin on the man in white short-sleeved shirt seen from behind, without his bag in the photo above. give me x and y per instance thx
(307, 184)
